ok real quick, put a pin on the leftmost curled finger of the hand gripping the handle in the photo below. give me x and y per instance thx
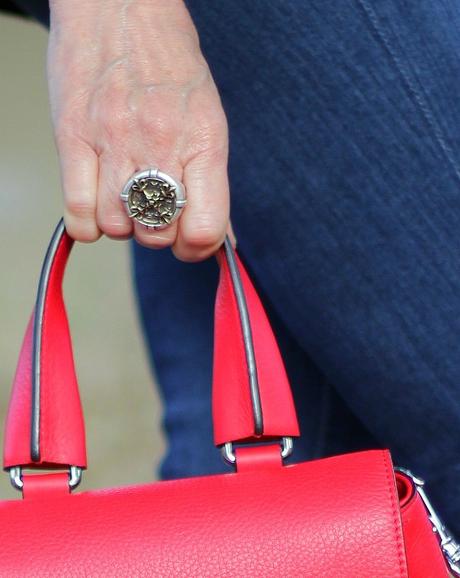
(79, 175)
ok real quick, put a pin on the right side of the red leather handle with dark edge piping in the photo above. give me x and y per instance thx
(247, 363)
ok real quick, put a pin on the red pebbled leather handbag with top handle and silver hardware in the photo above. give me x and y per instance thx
(347, 516)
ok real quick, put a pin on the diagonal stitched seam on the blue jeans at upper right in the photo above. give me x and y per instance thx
(410, 85)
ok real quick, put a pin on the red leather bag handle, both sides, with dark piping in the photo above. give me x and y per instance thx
(252, 399)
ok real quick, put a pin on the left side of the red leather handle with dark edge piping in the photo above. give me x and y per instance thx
(44, 424)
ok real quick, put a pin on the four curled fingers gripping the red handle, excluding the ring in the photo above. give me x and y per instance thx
(93, 206)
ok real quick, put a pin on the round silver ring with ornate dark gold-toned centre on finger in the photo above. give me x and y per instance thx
(153, 198)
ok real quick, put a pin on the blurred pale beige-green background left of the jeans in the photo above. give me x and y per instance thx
(121, 404)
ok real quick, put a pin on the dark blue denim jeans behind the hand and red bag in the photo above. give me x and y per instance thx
(344, 169)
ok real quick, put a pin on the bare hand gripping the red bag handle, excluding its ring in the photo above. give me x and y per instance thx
(129, 90)
